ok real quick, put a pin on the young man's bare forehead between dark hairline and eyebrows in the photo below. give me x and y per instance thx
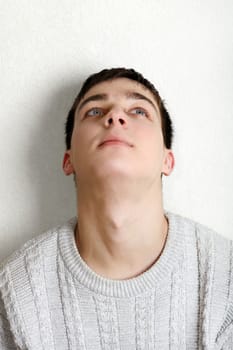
(119, 87)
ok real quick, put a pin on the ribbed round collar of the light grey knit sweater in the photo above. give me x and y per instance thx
(141, 284)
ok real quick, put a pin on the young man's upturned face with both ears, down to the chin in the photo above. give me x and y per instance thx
(122, 109)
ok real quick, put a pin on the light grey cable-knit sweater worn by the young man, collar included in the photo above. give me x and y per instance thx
(51, 300)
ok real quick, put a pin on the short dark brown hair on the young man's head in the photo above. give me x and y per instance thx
(111, 74)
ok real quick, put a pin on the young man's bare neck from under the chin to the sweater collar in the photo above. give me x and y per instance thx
(120, 237)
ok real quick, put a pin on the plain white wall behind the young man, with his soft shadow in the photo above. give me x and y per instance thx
(48, 47)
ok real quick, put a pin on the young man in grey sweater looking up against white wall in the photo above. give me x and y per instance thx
(124, 274)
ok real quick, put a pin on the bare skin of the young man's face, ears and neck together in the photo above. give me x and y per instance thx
(121, 227)
